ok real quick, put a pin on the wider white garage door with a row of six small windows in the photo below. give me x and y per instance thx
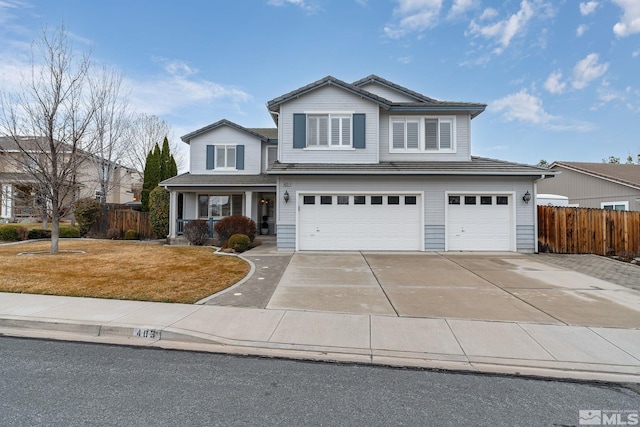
(359, 222)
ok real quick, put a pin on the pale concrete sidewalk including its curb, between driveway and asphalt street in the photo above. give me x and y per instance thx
(561, 351)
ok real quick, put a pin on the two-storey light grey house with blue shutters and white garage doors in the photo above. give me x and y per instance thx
(369, 165)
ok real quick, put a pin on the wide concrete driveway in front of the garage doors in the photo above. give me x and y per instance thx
(487, 286)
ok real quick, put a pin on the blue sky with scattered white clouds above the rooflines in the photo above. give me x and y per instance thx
(561, 77)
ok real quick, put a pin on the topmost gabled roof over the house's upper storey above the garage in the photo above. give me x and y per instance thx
(422, 103)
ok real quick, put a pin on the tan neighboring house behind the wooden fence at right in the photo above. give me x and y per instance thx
(596, 185)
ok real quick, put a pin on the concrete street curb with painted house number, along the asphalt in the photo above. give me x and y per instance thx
(180, 339)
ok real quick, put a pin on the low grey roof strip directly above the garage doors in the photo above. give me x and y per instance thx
(478, 166)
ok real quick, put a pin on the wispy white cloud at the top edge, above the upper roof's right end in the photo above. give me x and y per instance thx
(502, 32)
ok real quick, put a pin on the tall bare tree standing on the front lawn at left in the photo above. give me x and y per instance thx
(49, 118)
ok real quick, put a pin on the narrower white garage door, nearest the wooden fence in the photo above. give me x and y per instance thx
(479, 222)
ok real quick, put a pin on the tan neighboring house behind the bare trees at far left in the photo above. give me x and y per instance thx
(19, 193)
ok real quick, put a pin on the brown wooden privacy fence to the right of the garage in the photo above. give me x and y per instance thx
(566, 230)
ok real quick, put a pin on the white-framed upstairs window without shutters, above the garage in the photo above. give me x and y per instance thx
(422, 134)
